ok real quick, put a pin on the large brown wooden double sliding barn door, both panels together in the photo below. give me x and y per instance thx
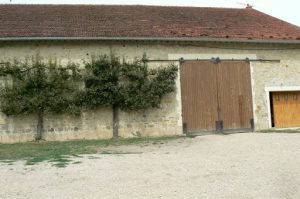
(216, 96)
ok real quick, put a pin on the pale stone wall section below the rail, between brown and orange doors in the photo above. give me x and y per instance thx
(272, 74)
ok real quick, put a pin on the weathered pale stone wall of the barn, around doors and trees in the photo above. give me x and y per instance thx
(163, 121)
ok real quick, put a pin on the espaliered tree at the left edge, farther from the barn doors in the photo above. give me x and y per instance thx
(35, 87)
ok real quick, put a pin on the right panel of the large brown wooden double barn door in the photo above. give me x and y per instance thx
(235, 95)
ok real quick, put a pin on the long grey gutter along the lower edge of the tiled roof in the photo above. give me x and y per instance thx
(174, 39)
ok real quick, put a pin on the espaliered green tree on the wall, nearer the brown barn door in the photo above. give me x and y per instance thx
(129, 86)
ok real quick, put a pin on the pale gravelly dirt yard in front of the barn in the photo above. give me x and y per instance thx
(248, 165)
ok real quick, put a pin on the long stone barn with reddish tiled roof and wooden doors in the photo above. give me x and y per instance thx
(239, 68)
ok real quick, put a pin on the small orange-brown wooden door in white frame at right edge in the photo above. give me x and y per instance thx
(286, 109)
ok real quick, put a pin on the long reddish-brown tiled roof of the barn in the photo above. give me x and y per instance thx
(141, 21)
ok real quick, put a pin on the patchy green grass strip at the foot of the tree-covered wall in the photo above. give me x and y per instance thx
(60, 153)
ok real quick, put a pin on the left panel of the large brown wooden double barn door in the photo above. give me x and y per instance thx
(199, 95)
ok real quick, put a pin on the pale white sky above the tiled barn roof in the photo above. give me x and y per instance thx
(288, 10)
